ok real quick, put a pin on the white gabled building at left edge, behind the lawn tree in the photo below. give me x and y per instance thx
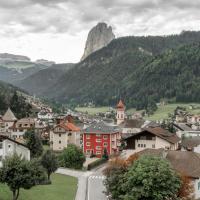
(8, 147)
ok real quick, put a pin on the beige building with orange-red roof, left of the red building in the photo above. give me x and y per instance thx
(63, 134)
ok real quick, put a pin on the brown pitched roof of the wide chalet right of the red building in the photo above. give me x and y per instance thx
(161, 133)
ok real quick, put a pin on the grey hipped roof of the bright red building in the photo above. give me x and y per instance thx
(101, 127)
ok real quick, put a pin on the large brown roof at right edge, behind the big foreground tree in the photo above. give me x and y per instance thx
(186, 162)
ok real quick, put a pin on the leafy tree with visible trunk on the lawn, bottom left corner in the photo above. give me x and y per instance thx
(18, 173)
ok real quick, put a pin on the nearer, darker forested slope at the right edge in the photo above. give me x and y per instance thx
(173, 74)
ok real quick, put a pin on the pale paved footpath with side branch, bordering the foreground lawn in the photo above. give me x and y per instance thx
(82, 181)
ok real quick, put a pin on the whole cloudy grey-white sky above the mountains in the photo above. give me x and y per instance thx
(57, 29)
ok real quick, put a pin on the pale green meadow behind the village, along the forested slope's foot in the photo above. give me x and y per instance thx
(161, 113)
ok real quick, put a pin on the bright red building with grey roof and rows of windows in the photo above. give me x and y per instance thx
(100, 136)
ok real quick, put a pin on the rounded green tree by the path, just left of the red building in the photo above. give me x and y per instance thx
(72, 157)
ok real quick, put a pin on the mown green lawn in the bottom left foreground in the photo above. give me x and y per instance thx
(62, 188)
